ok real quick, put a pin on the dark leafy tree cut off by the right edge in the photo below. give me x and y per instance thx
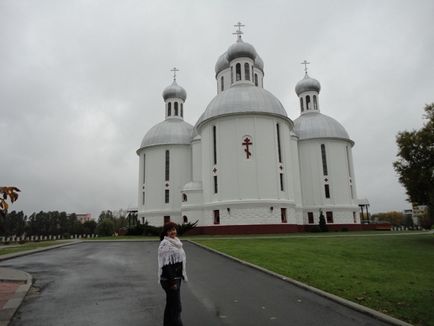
(415, 164)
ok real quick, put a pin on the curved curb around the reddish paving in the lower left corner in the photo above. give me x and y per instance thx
(12, 305)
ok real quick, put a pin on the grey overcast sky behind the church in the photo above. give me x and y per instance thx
(81, 84)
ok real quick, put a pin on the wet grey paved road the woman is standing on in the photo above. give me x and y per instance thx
(114, 283)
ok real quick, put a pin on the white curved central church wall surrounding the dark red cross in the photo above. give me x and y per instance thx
(240, 177)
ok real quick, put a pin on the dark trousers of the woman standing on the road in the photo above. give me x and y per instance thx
(172, 312)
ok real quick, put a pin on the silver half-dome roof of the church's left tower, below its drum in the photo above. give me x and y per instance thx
(170, 131)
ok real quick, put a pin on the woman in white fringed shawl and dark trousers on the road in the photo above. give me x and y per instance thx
(171, 265)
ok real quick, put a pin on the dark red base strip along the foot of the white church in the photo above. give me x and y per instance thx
(282, 228)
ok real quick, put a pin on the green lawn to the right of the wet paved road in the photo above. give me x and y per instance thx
(393, 274)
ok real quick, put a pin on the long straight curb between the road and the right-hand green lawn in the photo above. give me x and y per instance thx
(355, 306)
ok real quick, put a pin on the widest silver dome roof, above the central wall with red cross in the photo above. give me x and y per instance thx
(242, 98)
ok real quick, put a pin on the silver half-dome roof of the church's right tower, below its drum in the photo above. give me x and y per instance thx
(313, 125)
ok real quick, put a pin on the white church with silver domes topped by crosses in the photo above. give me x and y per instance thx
(245, 166)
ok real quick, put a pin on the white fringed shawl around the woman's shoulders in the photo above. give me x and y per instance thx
(170, 251)
